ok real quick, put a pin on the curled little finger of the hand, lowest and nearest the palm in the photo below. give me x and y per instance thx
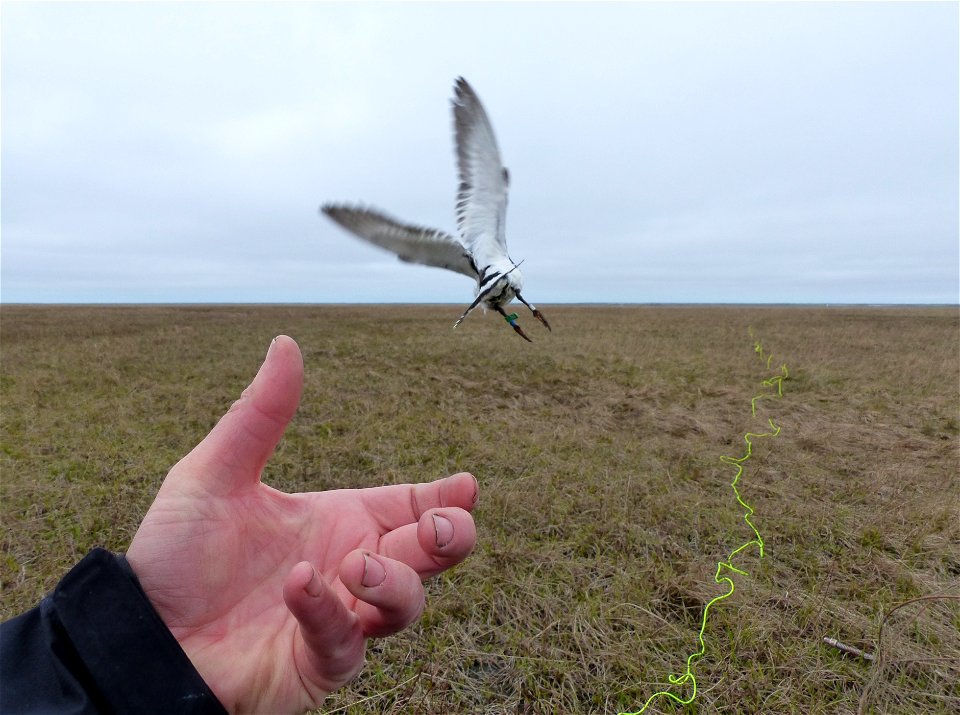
(333, 641)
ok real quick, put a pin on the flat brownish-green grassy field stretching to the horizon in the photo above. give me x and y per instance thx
(604, 505)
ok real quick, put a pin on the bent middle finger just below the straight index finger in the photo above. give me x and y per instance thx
(441, 539)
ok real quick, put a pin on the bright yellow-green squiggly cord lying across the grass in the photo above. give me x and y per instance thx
(687, 676)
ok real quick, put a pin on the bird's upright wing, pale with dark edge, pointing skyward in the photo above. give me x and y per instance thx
(482, 195)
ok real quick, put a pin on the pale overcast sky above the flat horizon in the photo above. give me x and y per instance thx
(682, 152)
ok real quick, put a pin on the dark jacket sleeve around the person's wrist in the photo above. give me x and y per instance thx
(96, 645)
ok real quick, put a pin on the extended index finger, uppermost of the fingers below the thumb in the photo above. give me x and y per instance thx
(400, 504)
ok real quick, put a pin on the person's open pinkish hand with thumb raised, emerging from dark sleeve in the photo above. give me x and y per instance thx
(273, 595)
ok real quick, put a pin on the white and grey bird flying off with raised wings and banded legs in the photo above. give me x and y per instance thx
(480, 251)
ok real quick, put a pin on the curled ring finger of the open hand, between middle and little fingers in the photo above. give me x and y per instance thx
(390, 594)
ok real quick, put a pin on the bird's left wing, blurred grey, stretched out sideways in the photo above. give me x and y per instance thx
(413, 244)
